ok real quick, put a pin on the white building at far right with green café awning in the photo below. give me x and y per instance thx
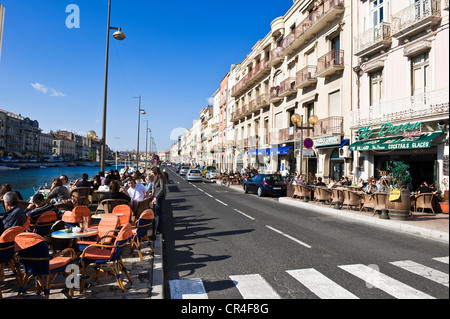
(403, 88)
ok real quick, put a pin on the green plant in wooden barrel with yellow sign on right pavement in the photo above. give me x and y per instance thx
(399, 202)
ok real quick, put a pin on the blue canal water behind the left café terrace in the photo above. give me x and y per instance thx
(28, 181)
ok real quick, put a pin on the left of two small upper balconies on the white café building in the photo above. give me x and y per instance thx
(373, 40)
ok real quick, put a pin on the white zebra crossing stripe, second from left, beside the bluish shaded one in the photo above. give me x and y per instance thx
(254, 287)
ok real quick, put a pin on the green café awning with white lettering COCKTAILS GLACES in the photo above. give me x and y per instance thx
(395, 143)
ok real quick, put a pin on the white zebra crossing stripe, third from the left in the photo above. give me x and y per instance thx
(320, 285)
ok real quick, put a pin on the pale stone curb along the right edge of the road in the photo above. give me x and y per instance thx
(386, 224)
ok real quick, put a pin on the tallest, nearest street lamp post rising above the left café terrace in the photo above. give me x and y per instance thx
(118, 35)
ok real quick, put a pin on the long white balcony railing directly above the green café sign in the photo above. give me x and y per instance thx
(430, 105)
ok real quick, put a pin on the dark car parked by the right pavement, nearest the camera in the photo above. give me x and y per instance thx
(266, 184)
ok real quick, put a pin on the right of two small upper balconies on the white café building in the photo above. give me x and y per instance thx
(416, 18)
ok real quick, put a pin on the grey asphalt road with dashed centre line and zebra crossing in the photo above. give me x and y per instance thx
(223, 244)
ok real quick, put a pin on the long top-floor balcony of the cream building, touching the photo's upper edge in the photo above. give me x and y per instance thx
(322, 15)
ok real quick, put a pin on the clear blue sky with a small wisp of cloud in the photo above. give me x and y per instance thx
(174, 57)
